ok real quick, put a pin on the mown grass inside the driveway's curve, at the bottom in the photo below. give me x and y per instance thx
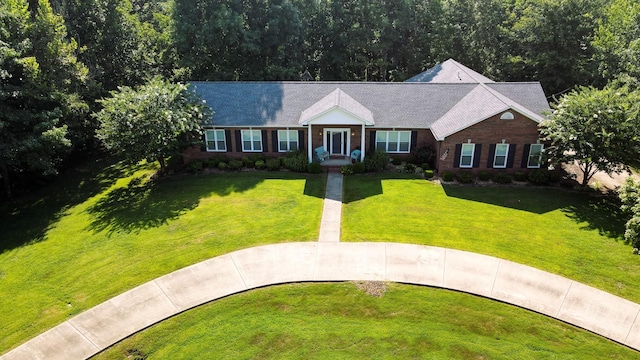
(338, 321)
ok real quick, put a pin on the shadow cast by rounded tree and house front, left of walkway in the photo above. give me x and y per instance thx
(147, 204)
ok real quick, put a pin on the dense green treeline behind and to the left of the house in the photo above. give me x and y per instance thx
(58, 58)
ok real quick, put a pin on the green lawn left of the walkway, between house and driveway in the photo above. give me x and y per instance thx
(104, 229)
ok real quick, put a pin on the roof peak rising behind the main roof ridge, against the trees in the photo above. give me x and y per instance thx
(450, 72)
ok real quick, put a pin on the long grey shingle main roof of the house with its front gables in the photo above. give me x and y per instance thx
(445, 108)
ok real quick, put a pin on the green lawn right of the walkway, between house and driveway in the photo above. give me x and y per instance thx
(571, 234)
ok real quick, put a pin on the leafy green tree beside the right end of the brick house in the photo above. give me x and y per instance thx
(598, 129)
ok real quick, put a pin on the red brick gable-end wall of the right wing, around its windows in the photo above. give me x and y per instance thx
(519, 131)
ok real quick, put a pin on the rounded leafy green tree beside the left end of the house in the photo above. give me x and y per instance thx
(152, 121)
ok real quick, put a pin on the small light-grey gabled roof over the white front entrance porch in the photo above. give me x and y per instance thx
(337, 99)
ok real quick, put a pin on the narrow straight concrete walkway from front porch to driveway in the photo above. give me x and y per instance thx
(332, 210)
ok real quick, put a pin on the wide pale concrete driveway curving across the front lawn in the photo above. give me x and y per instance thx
(134, 310)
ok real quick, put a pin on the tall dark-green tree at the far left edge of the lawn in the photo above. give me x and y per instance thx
(39, 77)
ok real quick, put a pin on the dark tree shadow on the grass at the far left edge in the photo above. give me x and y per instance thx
(26, 220)
